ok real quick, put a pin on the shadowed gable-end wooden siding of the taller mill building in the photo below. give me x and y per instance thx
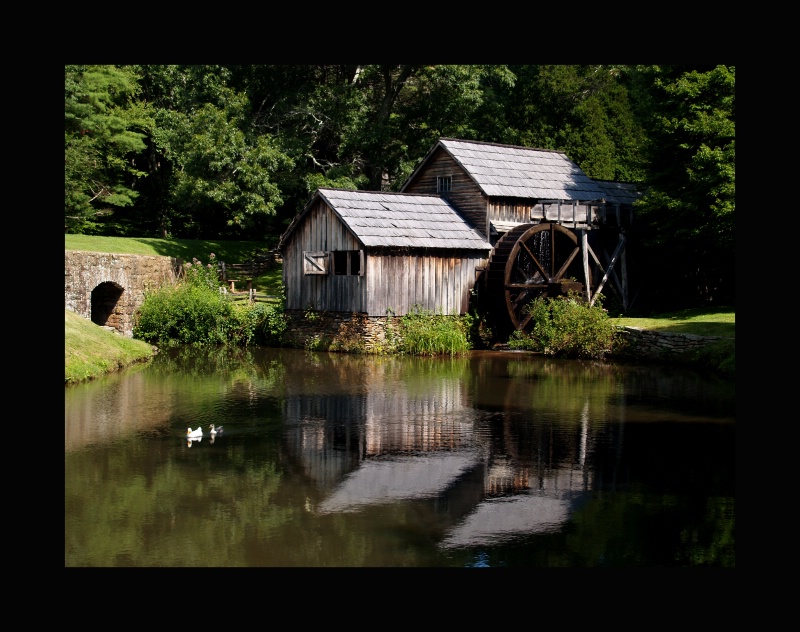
(465, 195)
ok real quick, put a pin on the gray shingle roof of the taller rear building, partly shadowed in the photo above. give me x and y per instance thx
(511, 171)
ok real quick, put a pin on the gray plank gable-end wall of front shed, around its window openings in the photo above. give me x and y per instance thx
(322, 230)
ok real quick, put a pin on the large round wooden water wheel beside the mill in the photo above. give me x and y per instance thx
(530, 261)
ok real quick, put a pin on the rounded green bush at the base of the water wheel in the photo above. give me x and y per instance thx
(567, 326)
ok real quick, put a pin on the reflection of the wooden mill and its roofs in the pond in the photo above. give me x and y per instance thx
(394, 446)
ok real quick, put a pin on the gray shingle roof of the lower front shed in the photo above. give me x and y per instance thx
(403, 220)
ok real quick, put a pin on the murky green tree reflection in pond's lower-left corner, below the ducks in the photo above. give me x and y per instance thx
(144, 491)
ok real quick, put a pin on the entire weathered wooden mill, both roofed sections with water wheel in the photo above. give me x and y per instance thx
(510, 222)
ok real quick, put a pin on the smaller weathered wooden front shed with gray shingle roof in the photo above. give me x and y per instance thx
(379, 253)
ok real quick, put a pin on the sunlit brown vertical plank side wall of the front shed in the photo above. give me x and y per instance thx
(435, 282)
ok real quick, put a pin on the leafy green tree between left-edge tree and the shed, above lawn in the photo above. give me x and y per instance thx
(216, 168)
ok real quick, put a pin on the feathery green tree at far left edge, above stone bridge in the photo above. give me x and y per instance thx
(104, 126)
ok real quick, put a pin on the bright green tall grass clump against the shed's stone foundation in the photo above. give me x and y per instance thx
(422, 332)
